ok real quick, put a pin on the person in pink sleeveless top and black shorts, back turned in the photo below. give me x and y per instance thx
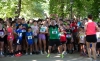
(90, 29)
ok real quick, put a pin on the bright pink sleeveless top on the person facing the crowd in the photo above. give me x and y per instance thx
(90, 28)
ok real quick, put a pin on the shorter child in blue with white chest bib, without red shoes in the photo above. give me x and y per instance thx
(29, 38)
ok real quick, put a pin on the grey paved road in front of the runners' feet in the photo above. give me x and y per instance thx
(54, 57)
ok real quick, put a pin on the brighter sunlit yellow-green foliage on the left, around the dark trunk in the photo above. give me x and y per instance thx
(29, 8)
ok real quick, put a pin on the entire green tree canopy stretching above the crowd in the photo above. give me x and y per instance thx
(38, 8)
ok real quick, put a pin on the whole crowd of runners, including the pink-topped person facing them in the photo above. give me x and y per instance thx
(20, 37)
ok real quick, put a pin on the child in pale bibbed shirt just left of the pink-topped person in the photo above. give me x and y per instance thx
(82, 41)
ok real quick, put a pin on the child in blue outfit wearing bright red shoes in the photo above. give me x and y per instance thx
(19, 40)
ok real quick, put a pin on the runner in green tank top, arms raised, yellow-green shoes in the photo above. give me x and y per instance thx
(53, 31)
